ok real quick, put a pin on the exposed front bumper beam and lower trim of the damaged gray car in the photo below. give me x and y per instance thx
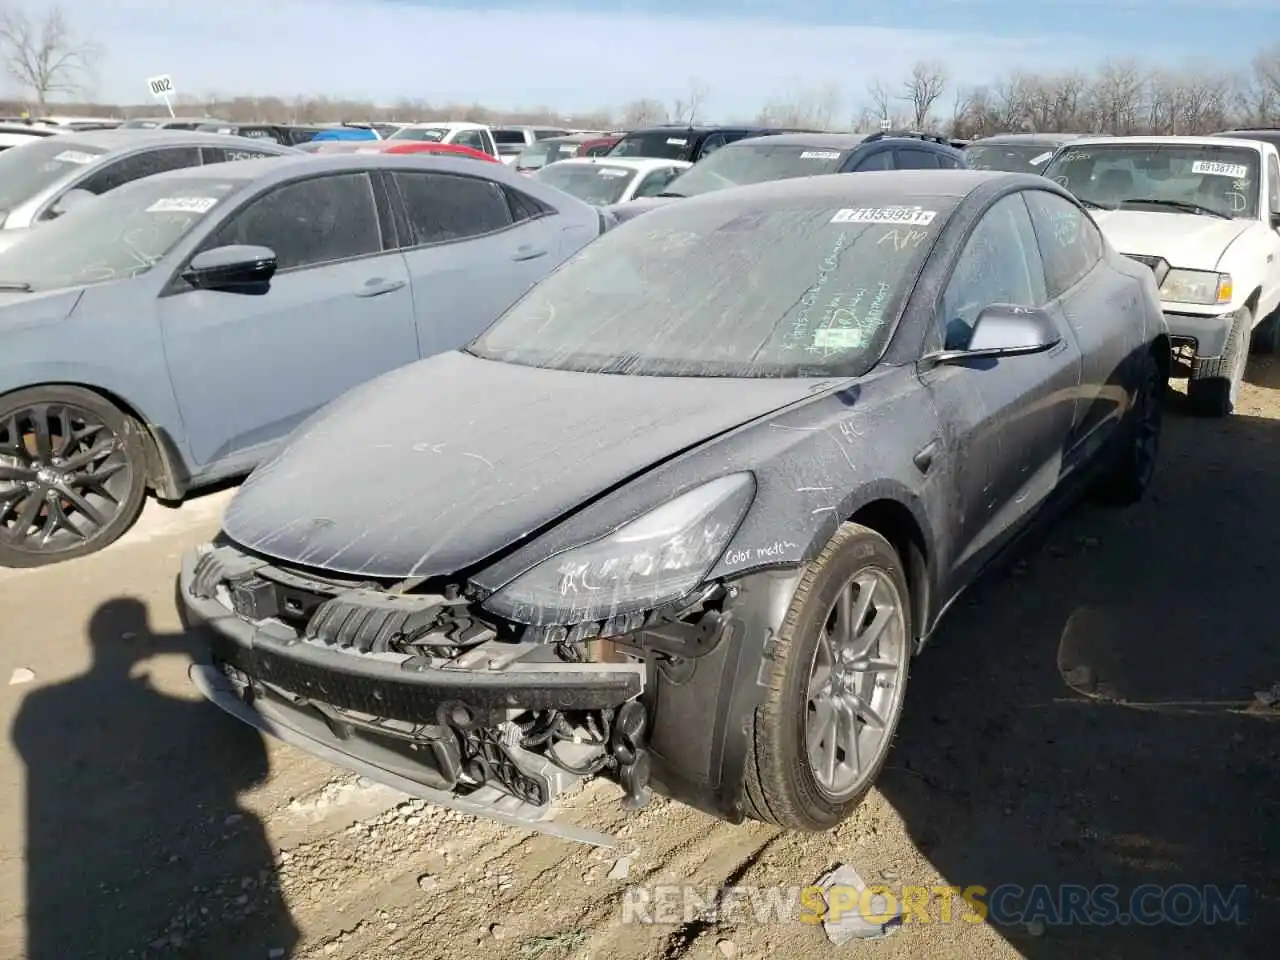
(391, 716)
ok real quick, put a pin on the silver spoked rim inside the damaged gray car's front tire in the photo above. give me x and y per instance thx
(857, 684)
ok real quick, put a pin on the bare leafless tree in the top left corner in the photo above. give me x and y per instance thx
(44, 56)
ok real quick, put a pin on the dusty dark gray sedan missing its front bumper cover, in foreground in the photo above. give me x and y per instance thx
(685, 513)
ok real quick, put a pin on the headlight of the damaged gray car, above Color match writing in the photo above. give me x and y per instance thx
(653, 560)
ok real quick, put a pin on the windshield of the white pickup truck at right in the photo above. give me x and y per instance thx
(1173, 177)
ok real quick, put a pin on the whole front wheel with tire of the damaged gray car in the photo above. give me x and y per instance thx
(840, 668)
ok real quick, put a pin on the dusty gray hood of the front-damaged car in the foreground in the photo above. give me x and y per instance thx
(437, 467)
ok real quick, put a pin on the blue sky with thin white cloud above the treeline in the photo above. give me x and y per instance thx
(583, 54)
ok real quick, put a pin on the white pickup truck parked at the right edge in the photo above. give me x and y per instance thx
(1204, 213)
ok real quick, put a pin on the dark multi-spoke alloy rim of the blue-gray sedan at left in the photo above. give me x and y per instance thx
(65, 477)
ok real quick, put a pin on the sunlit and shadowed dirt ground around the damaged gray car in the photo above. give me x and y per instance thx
(1087, 716)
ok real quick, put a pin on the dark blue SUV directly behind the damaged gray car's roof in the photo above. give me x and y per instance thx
(785, 156)
